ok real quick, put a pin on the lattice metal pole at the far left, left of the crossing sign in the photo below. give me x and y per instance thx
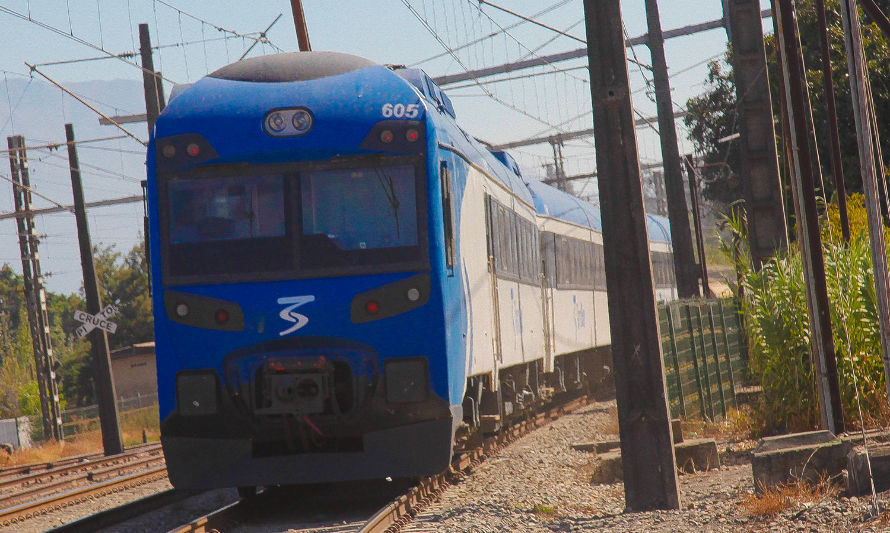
(35, 296)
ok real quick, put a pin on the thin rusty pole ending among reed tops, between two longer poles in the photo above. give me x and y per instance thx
(837, 168)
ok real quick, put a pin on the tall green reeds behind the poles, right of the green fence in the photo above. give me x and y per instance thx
(777, 324)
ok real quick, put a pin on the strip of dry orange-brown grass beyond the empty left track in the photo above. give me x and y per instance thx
(133, 423)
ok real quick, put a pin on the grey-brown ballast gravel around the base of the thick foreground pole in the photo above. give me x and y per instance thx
(540, 484)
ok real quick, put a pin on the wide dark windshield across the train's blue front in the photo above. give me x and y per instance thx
(294, 223)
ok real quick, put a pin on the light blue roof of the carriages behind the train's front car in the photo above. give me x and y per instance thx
(550, 201)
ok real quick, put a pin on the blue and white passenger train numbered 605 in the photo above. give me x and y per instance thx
(346, 283)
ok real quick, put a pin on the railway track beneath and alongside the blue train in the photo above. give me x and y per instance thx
(386, 517)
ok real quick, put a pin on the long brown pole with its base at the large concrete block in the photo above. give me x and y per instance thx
(803, 180)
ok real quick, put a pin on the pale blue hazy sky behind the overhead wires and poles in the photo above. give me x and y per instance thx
(198, 37)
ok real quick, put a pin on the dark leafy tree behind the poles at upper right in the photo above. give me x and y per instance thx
(712, 114)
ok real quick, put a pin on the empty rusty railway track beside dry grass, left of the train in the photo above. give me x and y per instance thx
(42, 487)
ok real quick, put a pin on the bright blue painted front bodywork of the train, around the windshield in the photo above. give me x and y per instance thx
(345, 107)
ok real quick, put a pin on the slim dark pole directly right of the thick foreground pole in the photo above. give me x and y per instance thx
(681, 236)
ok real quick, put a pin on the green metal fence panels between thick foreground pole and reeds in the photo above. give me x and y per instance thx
(703, 363)
